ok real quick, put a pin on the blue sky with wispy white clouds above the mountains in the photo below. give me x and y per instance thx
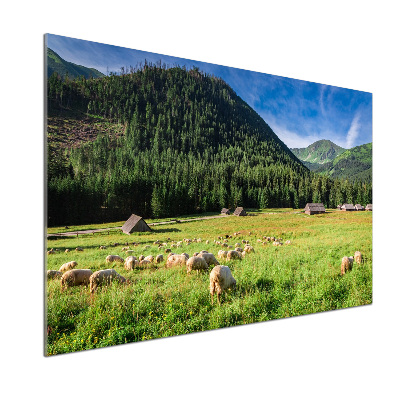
(299, 112)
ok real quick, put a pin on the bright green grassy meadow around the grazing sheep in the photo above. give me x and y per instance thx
(273, 282)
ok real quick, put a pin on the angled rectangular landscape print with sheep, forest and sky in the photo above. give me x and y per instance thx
(184, 196)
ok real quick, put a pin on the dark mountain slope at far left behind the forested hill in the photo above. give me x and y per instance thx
(56, 64)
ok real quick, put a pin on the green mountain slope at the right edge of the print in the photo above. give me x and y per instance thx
(354, 164)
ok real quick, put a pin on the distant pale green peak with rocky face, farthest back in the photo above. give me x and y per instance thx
(319, 152)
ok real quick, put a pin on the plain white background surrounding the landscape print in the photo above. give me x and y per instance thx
(348, 354)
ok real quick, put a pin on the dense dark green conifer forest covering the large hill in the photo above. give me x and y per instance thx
(190, 145)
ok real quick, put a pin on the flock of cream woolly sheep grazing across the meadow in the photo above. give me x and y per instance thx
(221, 277)
